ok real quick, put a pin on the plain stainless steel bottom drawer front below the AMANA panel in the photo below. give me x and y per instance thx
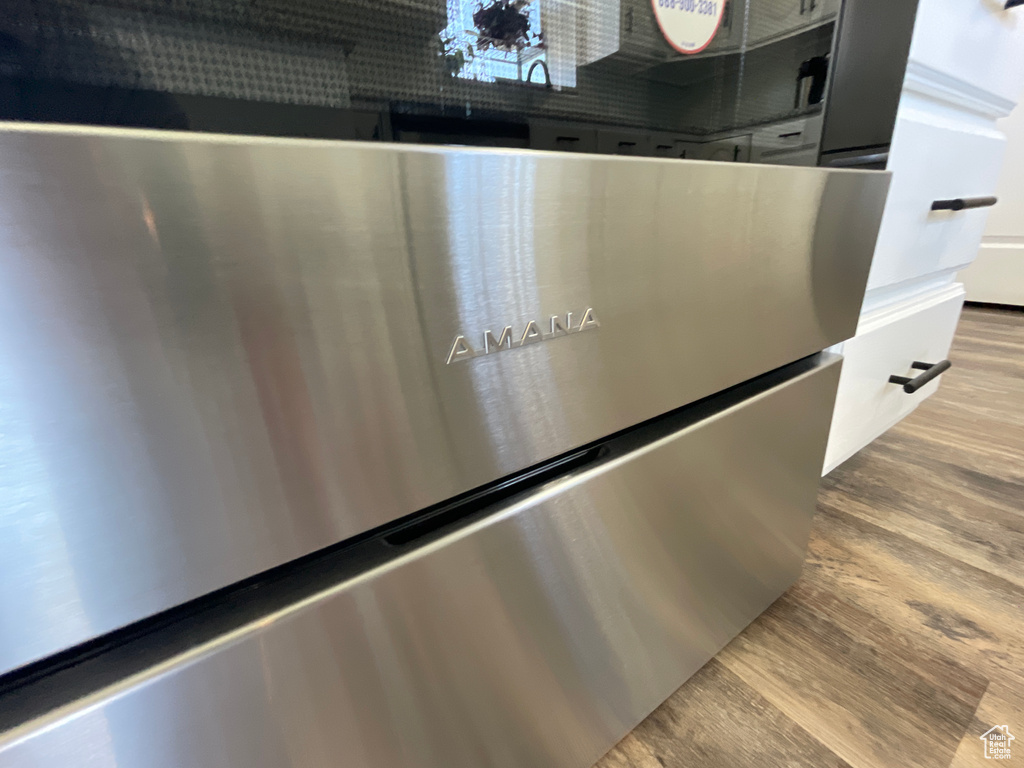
(537, 636)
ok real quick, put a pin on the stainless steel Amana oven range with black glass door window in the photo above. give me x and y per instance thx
(387, 385)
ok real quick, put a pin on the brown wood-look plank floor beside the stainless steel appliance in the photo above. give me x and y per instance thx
(904, 642)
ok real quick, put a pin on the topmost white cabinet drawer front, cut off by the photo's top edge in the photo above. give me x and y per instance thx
(972, 41)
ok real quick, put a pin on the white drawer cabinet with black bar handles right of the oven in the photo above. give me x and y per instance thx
(966, 71)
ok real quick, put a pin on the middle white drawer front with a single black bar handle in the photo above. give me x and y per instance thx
(934, 159)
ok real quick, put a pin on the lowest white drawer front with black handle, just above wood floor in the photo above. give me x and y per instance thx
(887, 343)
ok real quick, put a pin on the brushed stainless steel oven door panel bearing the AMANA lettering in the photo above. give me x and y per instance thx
(221, 354)
